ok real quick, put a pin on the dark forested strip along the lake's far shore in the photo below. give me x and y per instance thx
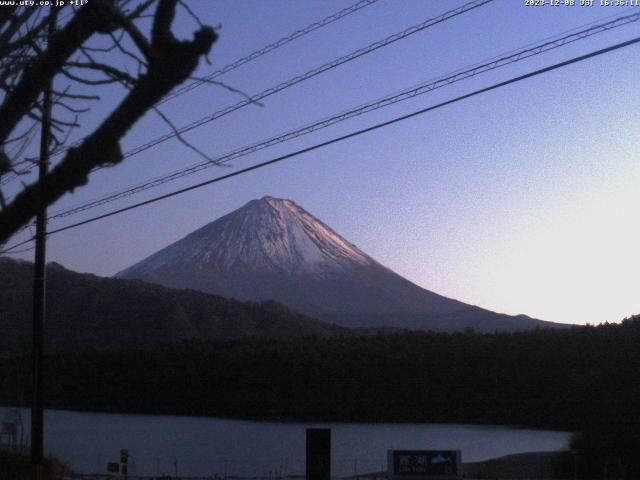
(566, 379)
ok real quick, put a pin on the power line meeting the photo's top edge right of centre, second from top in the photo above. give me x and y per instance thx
(306, 76)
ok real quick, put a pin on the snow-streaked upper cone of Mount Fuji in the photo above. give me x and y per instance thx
(269, 234)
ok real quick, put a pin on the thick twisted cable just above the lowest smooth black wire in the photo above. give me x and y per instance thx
(406, 94)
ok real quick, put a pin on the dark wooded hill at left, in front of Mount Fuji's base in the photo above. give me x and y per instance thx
(85, 311)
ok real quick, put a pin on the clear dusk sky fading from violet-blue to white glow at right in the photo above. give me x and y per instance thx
(519, 200)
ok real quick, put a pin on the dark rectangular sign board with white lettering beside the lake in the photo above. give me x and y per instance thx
(424, 464)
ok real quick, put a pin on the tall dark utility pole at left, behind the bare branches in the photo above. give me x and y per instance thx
(39, 282)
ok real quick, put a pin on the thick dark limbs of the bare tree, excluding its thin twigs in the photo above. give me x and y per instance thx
(170, 62)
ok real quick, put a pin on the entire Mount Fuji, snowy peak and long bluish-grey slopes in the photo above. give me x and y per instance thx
(274, 249)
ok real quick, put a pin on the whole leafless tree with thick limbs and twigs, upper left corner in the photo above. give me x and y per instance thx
(29, 60)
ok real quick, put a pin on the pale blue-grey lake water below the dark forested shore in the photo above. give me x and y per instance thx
(206, 446)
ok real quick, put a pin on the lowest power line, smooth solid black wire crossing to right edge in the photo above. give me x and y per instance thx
(356, 133)
